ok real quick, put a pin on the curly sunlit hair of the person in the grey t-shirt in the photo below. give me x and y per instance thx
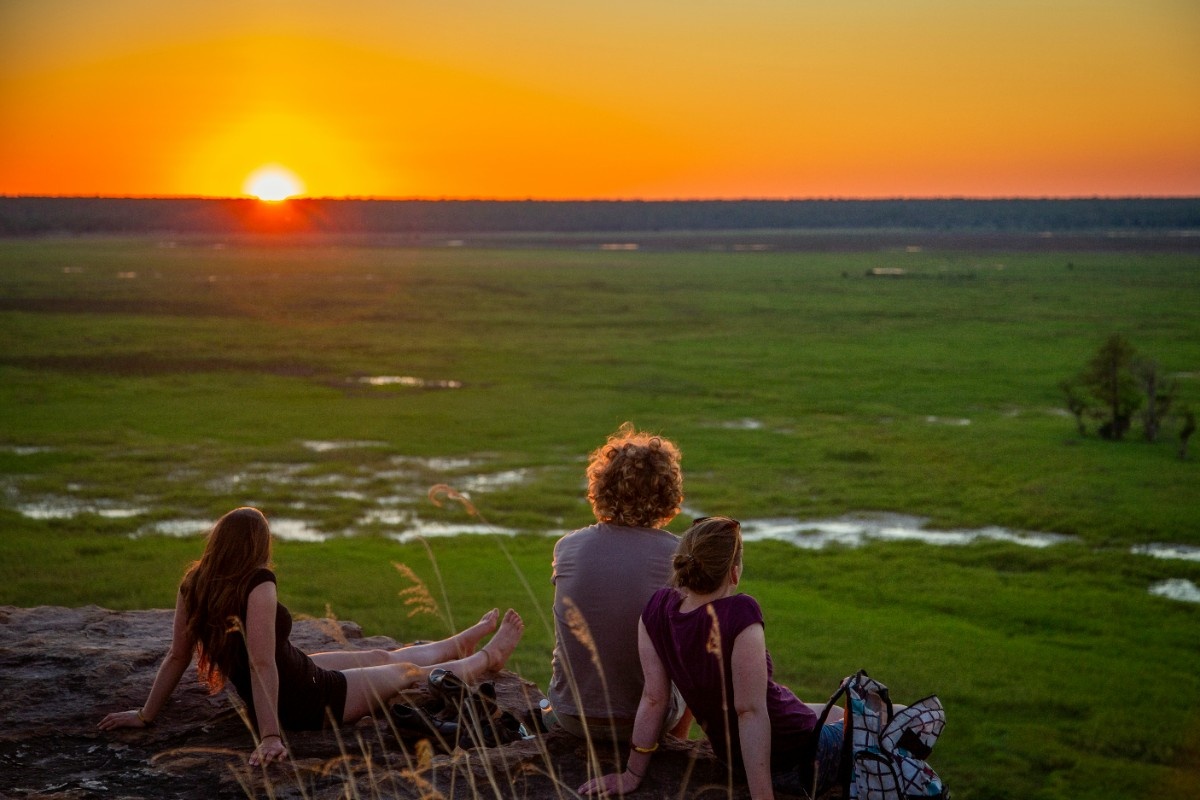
(634, 480)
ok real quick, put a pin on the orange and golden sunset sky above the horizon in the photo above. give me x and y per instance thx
(625, 99)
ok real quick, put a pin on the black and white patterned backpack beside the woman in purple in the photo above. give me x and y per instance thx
(884, 754)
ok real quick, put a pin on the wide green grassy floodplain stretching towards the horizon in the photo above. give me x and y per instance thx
(184, 381)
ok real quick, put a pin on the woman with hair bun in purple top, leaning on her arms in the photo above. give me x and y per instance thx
(709, 640)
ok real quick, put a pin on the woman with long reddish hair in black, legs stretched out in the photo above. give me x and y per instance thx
(229, 617)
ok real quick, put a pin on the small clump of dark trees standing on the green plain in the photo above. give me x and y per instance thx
(1120, 387)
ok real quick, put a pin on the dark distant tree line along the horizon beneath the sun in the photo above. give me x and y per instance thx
(22, 216)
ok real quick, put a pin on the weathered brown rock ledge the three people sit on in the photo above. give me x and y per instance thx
(62, 670)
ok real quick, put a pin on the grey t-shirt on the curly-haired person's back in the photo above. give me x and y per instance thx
(608, 573)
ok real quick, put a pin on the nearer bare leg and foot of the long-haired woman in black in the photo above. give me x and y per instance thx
(371, 688)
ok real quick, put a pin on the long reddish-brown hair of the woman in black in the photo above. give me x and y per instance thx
(214, 590)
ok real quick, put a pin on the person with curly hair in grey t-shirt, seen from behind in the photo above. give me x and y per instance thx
(603, 578)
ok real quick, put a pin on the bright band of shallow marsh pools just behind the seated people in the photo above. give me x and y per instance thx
(399, 515)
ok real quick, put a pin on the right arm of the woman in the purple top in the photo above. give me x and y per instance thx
(751, 703)
